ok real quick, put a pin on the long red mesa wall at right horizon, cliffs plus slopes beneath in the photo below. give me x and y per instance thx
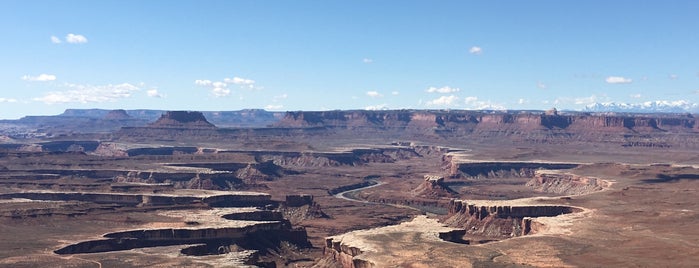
(530, 127)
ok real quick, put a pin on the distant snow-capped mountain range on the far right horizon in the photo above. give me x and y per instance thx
(680, 106)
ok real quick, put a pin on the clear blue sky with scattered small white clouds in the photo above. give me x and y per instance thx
(328, 55)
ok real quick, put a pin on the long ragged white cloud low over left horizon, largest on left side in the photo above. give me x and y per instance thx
(77, 93)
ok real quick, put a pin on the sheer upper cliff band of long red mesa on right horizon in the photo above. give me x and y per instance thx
(483, 120)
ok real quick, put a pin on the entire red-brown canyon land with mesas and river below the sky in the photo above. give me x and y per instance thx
(350, 189)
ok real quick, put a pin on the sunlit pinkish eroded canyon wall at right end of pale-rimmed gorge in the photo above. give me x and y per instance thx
(566, 183)
